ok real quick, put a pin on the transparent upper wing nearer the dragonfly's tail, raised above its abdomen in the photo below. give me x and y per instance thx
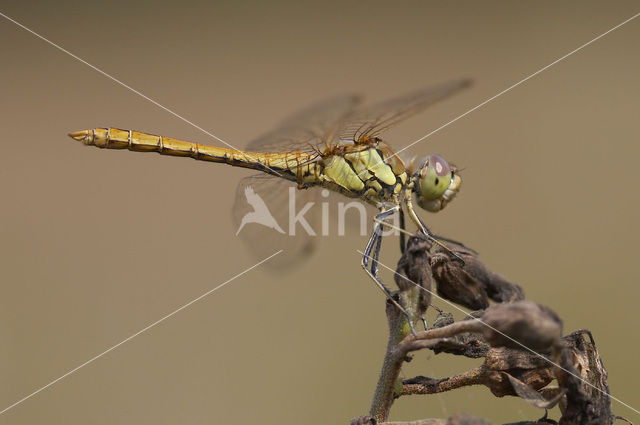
(309, 129)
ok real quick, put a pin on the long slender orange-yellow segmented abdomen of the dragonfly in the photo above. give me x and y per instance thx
(290, 165)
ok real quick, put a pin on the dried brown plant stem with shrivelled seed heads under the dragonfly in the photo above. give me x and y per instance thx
(521, 343)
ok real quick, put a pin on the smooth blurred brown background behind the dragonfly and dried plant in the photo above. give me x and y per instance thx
(95, 245)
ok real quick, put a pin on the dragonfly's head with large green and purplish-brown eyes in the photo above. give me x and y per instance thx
(435, 183)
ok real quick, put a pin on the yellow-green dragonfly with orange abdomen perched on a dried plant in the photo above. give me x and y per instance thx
(334, 145)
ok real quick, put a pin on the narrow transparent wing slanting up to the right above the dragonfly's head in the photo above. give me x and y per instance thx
(372, 121)
